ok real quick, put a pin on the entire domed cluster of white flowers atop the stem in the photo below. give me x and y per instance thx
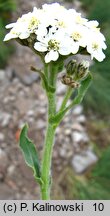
(59, 31)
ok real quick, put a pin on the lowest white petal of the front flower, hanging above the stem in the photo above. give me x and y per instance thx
(51, 56)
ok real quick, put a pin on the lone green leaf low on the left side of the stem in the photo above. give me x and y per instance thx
(30, 153)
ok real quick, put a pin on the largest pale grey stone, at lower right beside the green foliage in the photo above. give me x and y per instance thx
(83, 161)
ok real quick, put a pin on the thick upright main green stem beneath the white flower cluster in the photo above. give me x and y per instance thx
(49, 139)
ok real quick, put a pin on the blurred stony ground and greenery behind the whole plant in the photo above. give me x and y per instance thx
(81, 157)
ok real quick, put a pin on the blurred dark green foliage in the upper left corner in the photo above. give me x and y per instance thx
(6, 8)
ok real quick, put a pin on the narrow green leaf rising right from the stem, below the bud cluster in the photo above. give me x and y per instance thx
(78, 99)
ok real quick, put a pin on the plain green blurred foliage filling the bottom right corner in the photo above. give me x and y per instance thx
(98, 187)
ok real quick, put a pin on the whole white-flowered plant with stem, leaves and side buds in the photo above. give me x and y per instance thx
(55, 33)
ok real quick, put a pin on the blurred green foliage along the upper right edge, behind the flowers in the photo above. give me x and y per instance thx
(98, 96)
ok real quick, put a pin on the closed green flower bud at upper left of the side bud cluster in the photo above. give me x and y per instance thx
(70, 67)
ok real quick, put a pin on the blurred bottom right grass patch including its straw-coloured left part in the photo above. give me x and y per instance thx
(95, 184)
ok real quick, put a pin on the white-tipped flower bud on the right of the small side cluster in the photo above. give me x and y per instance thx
(82, 69)
